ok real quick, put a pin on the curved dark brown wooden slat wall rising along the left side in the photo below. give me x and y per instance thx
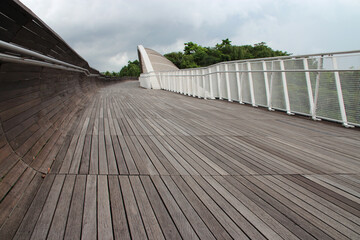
(39, 108)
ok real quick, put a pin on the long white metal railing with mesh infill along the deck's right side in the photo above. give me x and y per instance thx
(323, 86)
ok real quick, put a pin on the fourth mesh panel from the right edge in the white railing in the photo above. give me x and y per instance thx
(277, 90)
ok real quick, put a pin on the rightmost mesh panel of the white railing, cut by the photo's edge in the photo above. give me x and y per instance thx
(350, 84)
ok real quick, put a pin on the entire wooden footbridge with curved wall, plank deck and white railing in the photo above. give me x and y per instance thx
(83, 157)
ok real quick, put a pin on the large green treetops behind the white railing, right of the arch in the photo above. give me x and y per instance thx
(195, 55)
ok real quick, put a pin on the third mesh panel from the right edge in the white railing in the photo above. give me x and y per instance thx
(297, 88)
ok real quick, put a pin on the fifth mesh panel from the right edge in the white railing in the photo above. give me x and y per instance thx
(259, 84)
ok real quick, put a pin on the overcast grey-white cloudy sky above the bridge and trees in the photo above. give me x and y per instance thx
(106, 32)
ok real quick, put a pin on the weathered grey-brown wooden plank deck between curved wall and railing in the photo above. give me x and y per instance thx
(153, 164)
